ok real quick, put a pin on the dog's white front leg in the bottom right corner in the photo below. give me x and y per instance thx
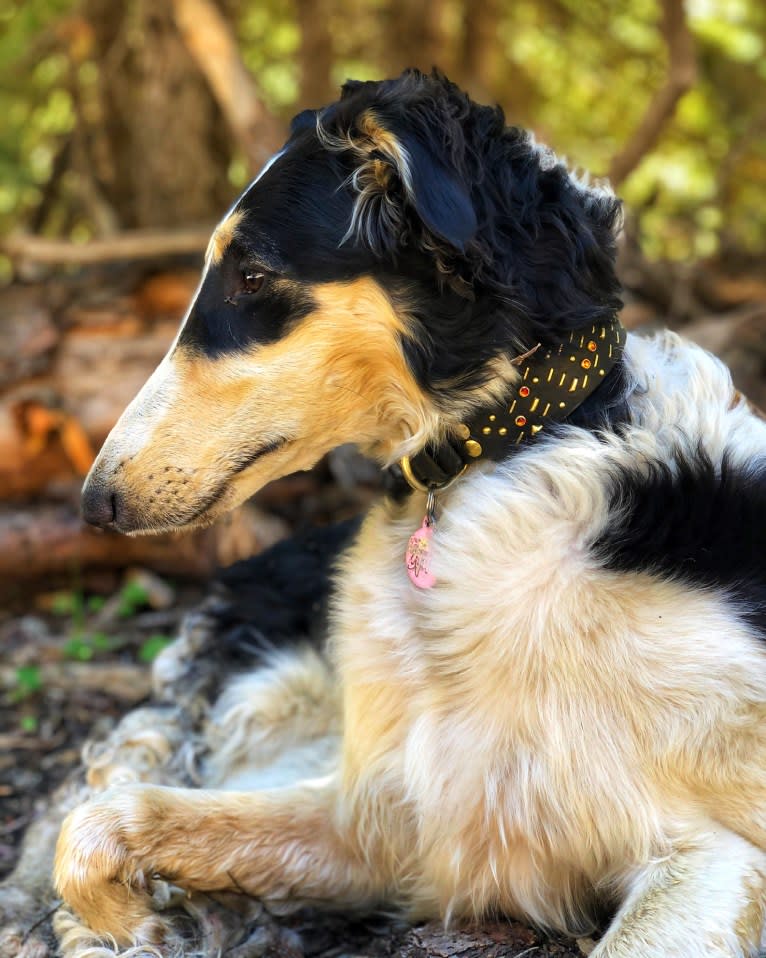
(705, 900)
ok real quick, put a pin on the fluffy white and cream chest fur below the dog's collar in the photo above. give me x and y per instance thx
(524, 710)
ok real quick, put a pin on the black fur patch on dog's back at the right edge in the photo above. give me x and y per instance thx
(693, 522)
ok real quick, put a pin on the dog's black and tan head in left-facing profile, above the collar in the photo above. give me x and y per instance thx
(370, 286)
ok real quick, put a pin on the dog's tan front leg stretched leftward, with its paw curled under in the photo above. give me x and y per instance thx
(271, 844)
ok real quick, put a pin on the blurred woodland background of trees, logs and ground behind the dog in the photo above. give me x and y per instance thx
(126, 128)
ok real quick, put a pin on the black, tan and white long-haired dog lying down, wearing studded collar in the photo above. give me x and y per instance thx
(544, 693)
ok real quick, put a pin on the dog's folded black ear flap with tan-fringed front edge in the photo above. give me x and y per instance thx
(431, 187)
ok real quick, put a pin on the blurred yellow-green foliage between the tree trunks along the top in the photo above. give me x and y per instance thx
(581, 73)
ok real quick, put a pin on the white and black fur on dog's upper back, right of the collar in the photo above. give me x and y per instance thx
(687, 500)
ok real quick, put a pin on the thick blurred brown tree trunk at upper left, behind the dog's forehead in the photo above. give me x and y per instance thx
(156, 144)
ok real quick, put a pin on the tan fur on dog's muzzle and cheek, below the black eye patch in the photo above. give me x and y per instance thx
(205, 433)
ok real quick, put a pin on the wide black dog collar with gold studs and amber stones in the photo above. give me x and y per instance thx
(553, 383)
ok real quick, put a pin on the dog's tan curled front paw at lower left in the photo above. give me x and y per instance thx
(103, 868)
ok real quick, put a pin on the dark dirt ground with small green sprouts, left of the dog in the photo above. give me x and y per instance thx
(65, 678)
